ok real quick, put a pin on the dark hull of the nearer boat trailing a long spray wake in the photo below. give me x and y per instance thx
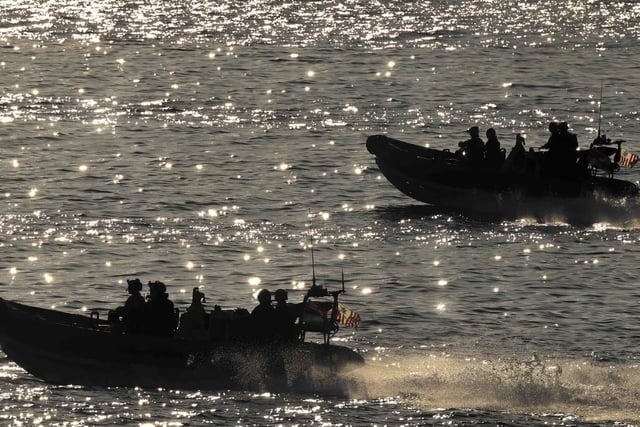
(64, 348)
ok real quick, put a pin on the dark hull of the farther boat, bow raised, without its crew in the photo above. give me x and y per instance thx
(447, 180)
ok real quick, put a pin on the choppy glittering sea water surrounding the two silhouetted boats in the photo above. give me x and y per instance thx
(189, 142)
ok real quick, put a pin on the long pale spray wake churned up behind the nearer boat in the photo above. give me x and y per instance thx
(593, 391)
